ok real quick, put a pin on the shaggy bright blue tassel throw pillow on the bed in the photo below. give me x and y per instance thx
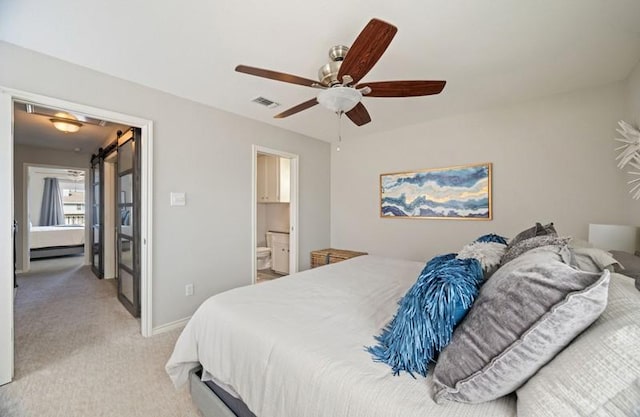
(428, 314)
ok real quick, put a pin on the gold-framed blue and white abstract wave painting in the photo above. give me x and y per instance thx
(462, 192)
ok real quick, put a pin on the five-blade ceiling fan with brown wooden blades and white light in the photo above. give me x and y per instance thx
(339, 79)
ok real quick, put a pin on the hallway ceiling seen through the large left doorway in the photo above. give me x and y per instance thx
(37, 130)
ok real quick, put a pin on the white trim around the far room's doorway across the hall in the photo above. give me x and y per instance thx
(24, 227)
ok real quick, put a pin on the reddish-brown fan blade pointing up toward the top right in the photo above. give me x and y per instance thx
(367, 49)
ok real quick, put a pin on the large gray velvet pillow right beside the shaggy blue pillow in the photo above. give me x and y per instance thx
(524, 315)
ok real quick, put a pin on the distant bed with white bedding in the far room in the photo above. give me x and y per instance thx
(50, 241)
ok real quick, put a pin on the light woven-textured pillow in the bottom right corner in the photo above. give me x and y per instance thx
(598, 374)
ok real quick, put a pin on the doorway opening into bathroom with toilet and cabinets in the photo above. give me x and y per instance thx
(274, 214)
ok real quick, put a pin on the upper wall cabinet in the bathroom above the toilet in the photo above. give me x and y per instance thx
(273, 179)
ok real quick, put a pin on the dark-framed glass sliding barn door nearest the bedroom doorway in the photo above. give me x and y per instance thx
(128, 203)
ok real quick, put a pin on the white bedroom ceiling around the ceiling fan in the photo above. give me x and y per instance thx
(490, 52)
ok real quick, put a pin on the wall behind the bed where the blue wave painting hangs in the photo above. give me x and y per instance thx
(552, 161)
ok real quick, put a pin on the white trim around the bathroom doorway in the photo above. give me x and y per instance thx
(293, 207)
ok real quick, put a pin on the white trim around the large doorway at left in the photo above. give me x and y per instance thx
(7, 97)
